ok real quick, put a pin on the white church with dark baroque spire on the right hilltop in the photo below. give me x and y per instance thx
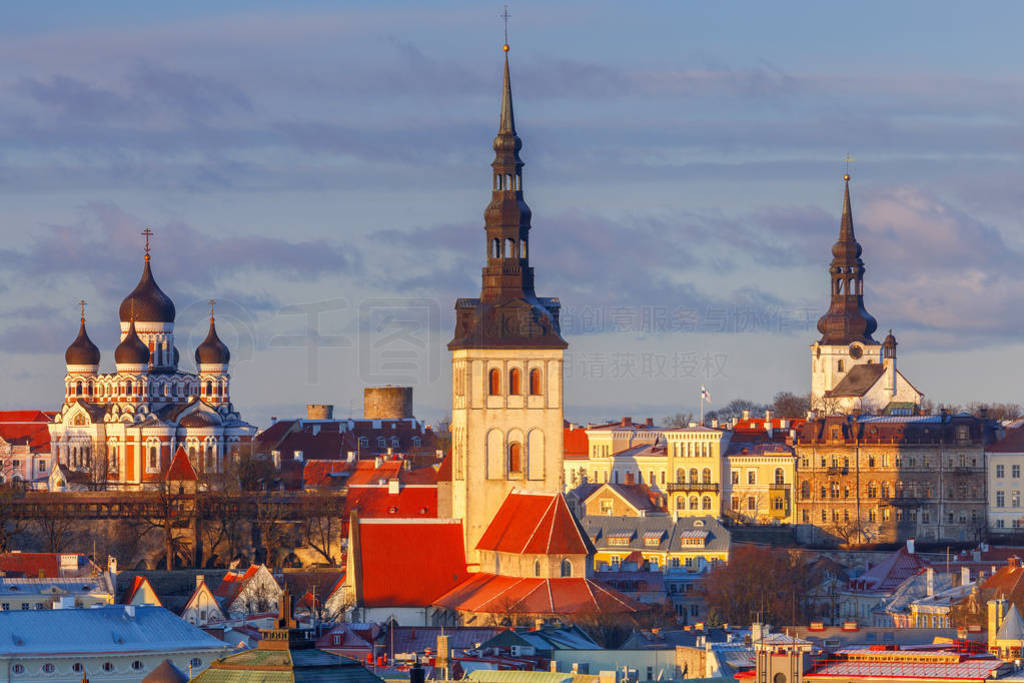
(850, 370)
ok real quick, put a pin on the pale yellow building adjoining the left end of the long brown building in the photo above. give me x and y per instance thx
(760, 486)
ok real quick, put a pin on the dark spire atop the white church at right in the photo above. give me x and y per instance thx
(847, 321)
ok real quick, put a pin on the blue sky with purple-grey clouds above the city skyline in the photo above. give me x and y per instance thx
(322, 170)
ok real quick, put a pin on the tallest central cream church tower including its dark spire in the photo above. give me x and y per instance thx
(506, 359)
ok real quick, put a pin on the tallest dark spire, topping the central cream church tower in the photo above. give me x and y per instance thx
(508, 313)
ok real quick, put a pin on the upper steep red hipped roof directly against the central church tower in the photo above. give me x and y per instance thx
(536, 525)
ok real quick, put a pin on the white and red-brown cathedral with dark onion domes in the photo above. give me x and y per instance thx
(123, 428)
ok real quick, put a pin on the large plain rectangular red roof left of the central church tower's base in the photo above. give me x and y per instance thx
(409, 563)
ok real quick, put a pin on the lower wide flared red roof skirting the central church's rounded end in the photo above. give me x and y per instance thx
(496, 594)
